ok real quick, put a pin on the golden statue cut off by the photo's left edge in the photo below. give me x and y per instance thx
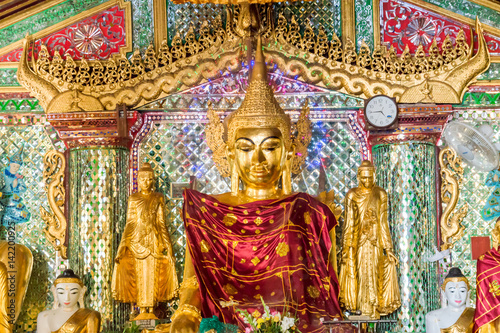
(16, 261)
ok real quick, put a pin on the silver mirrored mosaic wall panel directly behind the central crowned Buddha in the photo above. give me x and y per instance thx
(178, 151)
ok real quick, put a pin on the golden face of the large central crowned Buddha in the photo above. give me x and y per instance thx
(259, 154)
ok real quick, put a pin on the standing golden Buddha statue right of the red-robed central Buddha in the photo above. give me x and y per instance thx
(368, 277)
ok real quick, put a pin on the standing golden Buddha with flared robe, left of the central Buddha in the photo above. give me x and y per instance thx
(144, 271)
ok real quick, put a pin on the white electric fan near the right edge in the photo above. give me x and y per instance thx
(473, 145)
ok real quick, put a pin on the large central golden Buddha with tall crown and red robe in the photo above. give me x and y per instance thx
(260, 240)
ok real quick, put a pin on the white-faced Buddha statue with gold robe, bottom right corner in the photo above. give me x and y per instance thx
(455, 317)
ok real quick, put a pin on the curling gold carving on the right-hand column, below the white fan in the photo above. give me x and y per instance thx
(451, 178)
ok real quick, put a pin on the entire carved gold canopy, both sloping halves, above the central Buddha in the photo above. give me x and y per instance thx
(438, 75)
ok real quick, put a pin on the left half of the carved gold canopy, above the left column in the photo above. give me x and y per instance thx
(138, 80)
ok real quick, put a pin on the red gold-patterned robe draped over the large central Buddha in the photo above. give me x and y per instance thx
(274, 249)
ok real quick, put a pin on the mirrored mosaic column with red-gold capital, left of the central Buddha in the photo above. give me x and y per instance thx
(98, 182)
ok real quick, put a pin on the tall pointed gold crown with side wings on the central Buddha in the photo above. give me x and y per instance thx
(259, 109)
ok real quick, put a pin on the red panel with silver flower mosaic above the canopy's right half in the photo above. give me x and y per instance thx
(406, 24)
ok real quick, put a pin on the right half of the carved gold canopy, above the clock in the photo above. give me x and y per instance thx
(443, 78)
